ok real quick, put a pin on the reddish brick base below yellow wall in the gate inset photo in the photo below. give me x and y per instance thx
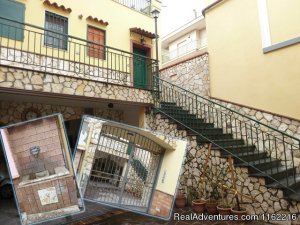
(161, 204)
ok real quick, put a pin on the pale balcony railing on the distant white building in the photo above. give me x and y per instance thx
(185, 49)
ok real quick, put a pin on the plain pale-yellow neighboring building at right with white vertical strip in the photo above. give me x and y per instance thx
(253, 47)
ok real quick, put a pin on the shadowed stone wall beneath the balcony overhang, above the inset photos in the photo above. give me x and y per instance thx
(12, 112)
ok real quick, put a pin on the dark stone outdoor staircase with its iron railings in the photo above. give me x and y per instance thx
(265, 151)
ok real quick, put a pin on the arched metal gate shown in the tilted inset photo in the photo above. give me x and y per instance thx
(125, 169)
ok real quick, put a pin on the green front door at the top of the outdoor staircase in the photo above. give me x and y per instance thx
(139, 68)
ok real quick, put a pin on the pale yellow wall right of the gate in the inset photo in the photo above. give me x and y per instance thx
(171, 167)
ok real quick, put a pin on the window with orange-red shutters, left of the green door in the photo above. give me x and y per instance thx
(96, 36)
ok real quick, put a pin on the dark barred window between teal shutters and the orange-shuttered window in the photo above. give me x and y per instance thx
(64, 44)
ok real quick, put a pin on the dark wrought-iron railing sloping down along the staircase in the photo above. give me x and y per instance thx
(270, 145)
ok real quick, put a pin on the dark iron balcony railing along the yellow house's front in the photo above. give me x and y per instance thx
(27, 46)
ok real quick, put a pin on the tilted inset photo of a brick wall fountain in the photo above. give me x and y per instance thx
(42, 175)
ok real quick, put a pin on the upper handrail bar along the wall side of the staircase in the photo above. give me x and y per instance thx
(236, 112)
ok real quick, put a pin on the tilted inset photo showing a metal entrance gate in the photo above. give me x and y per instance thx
(128, 167)
